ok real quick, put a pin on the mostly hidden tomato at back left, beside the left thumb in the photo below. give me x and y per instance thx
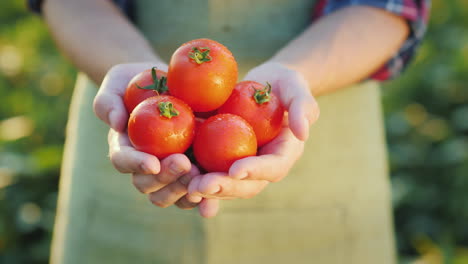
(144, 85)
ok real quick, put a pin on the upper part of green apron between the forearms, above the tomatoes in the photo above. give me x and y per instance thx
(252, 30)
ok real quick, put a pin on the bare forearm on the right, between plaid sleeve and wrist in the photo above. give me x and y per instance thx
(344, 47)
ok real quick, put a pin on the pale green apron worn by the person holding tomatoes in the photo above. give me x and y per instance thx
(333, 207)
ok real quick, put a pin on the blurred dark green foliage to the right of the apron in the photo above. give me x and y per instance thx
(427, 132)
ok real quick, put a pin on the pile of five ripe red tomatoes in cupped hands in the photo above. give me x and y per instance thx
(168, 110)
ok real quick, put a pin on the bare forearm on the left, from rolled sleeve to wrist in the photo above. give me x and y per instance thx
(95, 35)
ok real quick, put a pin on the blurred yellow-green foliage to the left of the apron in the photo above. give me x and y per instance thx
(35, 88)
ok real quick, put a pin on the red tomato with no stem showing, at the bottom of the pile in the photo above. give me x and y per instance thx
(223, 139)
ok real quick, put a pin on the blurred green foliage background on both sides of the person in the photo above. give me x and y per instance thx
(426, 114)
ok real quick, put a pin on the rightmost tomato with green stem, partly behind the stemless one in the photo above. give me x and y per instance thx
(257, 105)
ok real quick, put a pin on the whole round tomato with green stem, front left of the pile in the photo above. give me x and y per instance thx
(161, 125)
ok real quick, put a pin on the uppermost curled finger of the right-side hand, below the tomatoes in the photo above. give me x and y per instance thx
(274, 162)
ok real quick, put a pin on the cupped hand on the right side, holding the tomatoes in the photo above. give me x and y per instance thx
(248, 176)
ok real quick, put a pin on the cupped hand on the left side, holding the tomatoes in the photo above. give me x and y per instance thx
(163, 181)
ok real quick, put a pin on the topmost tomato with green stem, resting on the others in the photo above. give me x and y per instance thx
(202, 73)
